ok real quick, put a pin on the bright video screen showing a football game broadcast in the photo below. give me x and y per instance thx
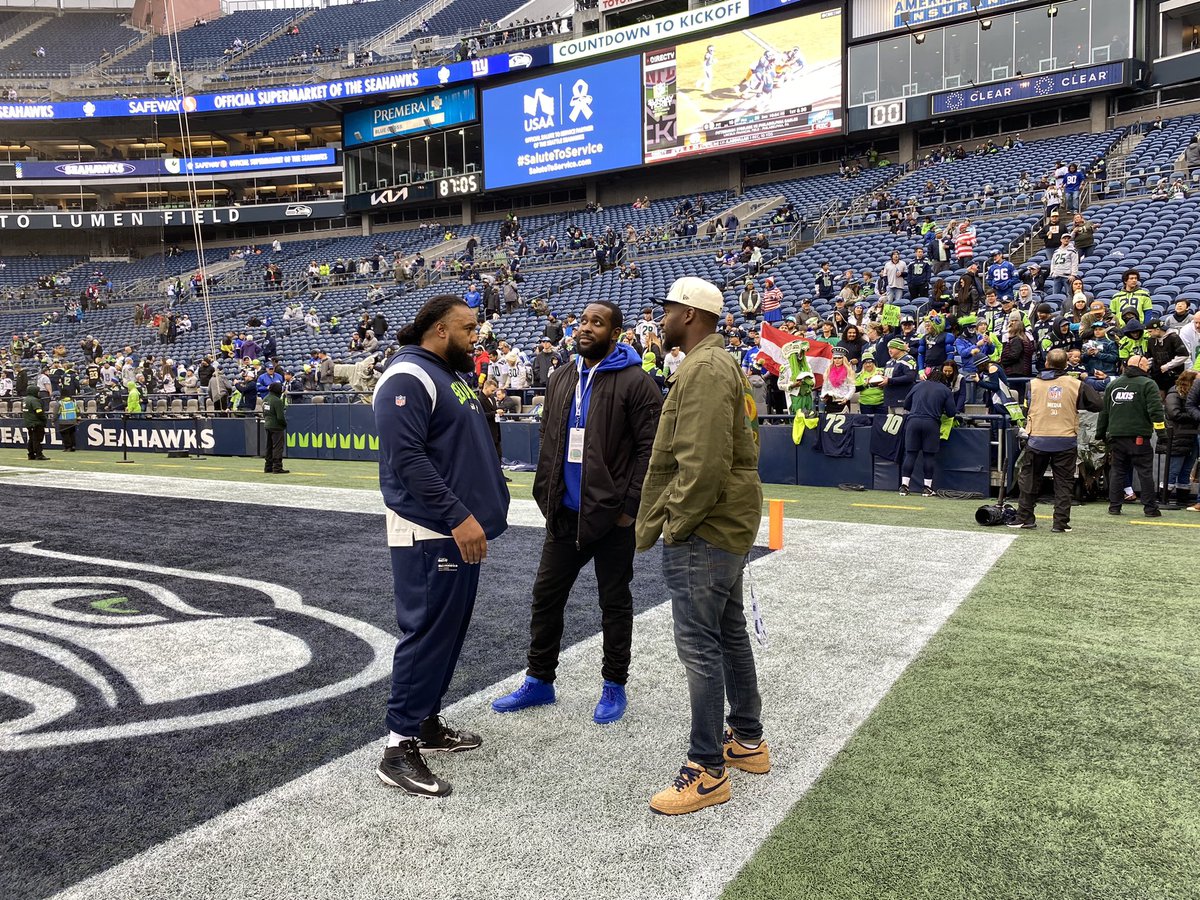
(759, 86)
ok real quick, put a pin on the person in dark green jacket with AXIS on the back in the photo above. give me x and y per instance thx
(1133, 412)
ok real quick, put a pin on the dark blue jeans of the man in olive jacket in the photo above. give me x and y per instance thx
(705, 584)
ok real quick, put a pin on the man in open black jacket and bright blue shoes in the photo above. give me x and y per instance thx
(597, 435)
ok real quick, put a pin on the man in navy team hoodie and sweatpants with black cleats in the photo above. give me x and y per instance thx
(446, 496)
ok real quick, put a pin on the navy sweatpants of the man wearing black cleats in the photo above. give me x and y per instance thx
(435, 597)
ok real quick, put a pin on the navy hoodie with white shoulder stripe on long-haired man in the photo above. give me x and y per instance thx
(437, 461)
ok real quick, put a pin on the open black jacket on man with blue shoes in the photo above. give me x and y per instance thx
(623, 417)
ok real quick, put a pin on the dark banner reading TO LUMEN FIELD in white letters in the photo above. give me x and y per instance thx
(172, 218)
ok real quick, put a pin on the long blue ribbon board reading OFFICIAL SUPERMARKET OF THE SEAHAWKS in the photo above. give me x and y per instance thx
(343, 92)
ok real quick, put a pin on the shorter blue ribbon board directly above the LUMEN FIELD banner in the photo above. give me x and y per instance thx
(153, 169)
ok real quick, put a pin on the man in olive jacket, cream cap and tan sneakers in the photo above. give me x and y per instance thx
(704, 496)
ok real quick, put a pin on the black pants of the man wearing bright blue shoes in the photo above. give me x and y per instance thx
(561, 565)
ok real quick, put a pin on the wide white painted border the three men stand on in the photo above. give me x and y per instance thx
(554, 806)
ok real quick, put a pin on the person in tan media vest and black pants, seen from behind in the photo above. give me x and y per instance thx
(1053, 424)
